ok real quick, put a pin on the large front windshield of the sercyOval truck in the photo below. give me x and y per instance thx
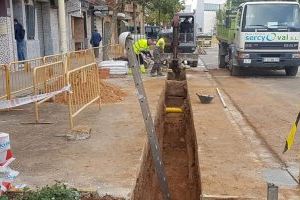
(271, 16)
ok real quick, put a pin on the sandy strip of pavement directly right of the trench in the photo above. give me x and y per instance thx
(229, 164)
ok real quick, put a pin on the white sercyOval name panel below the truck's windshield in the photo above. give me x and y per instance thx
(269, 37)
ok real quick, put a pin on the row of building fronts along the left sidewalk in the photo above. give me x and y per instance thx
(41, 23)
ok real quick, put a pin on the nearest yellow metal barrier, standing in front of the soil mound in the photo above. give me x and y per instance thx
(85, 84)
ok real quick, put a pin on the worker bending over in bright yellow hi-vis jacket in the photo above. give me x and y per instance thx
(142, 46)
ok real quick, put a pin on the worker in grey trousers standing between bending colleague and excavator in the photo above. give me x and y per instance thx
(158, 50)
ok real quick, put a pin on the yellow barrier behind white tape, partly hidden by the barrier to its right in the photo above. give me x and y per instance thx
(20, 77)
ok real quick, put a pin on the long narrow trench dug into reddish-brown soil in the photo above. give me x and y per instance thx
(177, 139)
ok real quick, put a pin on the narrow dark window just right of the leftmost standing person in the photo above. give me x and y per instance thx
(30, 21)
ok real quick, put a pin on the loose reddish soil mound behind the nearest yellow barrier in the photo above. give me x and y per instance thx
(109, 93)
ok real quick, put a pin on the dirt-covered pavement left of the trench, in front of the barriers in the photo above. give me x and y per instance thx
(109, 159)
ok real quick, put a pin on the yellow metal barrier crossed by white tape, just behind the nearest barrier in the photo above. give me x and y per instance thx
(46, 79)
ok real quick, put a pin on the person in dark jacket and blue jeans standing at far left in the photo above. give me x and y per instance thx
(19, 37)
